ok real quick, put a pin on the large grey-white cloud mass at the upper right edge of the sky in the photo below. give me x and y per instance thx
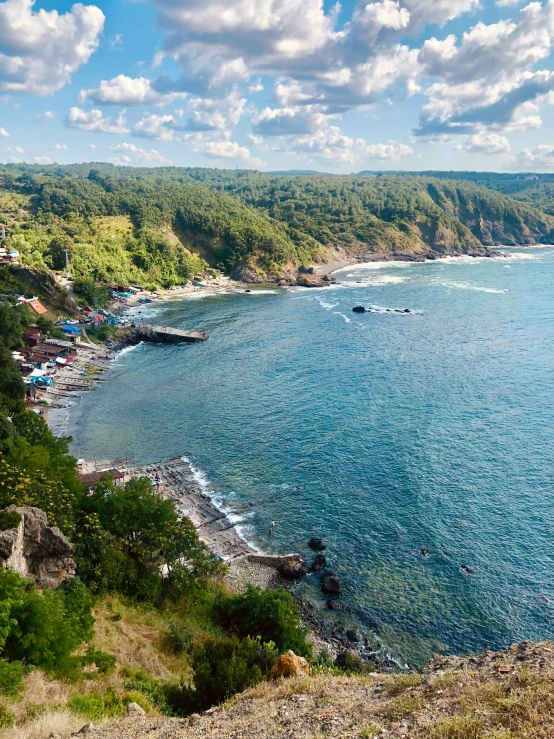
(487, 78)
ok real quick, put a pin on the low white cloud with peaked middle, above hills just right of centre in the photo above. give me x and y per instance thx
(333, 145)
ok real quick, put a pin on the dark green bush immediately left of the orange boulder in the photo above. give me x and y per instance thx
(222, 667)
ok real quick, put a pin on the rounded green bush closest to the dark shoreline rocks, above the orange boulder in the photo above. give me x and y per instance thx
(271, 615)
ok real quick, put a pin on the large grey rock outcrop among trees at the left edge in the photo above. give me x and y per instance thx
(34, 549)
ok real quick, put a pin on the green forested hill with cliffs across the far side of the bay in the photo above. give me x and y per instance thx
(160, 226)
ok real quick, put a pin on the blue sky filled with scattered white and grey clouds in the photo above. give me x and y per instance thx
(279, 84)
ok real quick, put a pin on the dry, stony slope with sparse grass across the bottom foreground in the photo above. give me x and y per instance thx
(456, 698)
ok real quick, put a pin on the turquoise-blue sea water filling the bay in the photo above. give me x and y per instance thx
(382, 433)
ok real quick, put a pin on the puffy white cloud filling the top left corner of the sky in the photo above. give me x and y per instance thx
(39, 51)
